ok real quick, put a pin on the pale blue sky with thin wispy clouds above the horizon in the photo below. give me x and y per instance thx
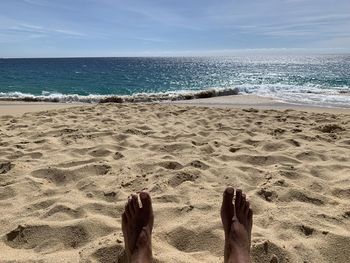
(88, 28)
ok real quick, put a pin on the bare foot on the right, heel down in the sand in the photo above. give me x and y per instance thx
(237, 220)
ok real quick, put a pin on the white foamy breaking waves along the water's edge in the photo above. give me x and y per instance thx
(308, 94)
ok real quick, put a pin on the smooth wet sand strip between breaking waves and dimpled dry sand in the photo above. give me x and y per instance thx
(17, 108)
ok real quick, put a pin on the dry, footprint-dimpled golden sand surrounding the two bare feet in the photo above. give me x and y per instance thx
(65, 175)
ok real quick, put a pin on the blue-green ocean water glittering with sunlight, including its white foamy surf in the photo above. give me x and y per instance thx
(316, 79)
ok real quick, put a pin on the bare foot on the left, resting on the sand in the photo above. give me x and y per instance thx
(137, 225)
